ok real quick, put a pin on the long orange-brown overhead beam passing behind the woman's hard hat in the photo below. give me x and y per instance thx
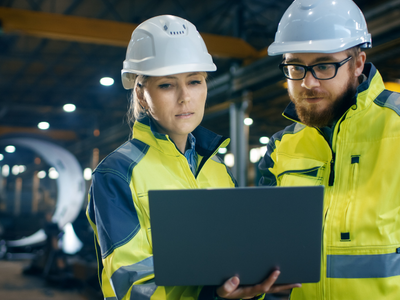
(86, 30)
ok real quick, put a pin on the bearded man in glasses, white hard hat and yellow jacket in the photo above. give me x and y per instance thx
(345, 136)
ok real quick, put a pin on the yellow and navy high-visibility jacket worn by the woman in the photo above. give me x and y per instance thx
(118, 208)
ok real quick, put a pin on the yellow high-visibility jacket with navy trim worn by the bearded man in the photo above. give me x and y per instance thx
(361, 175)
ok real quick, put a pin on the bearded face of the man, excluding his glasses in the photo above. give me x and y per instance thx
(320, 102)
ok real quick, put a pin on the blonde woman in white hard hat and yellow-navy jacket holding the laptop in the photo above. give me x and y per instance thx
(166, 65)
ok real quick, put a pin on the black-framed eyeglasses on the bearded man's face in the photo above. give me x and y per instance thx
(322, 71)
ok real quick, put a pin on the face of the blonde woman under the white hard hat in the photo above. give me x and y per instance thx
(176, 102)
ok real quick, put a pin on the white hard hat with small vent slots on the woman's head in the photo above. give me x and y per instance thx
(165, 45)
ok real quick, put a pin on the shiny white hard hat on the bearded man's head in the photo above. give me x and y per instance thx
(321, 26)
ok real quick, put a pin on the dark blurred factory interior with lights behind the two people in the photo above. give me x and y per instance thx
(62, 110)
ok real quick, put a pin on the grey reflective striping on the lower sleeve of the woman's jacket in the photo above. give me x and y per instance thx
(124, 277)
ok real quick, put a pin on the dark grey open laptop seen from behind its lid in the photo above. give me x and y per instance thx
(206, 236)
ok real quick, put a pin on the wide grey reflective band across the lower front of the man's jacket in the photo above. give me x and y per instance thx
(363, 266)
